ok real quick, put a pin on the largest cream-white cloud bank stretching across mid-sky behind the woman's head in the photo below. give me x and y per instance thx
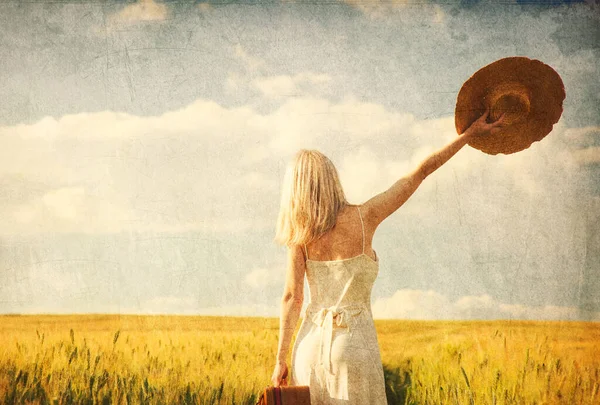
(106, 171)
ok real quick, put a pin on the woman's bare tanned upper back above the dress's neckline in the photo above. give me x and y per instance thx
(345, 239)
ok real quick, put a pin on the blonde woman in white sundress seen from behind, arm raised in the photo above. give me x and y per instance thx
(336, 351)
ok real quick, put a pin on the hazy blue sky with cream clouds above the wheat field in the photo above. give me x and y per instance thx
(143, 145)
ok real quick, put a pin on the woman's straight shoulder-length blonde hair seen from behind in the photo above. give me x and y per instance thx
(311, 198)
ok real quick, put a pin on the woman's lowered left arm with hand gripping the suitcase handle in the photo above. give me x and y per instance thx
(291, 305)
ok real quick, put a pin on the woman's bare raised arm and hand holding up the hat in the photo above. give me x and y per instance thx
(384, 204)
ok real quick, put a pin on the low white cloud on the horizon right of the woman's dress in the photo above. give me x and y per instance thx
(431, 305)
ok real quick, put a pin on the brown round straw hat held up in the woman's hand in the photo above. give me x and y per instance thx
(529, 93)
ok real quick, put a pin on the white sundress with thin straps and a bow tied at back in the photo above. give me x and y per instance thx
(336, 351)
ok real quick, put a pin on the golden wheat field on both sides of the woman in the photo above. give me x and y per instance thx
(88, 359)
